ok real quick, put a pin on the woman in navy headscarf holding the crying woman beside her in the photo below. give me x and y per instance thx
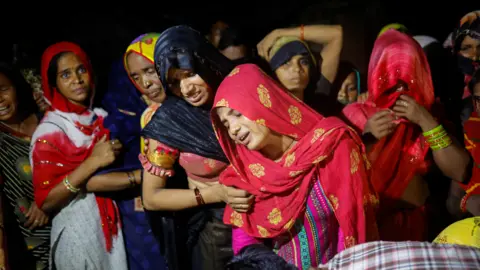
(190, 69)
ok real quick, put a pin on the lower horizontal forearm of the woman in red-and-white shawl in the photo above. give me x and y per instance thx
(113, 181)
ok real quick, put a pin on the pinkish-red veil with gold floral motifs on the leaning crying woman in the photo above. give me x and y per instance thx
(281, 188)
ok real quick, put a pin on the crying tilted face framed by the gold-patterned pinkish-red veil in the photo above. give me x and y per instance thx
(243, 130)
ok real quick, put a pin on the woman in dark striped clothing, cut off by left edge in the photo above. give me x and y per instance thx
(27, 226)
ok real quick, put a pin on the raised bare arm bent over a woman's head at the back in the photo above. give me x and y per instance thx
(330, 36)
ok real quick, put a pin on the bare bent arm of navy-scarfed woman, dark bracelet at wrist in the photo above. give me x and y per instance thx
(156, 197)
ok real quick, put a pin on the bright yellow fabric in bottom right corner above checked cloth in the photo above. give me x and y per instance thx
(464, 232)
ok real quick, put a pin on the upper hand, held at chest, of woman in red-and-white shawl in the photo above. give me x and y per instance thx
(105, 152)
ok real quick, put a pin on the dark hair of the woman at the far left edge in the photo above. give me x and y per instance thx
(24, 92)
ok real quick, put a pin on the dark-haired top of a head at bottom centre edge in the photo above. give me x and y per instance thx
(256, 257)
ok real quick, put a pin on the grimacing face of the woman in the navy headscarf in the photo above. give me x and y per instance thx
(189, 86)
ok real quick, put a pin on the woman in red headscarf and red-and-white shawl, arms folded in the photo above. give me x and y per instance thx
(69, 146)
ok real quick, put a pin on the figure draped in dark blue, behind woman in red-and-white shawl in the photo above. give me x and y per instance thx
(125, 106)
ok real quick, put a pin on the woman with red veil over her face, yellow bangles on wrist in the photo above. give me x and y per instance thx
(397, 114)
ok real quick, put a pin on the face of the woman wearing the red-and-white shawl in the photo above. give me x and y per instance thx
(73, 80)
